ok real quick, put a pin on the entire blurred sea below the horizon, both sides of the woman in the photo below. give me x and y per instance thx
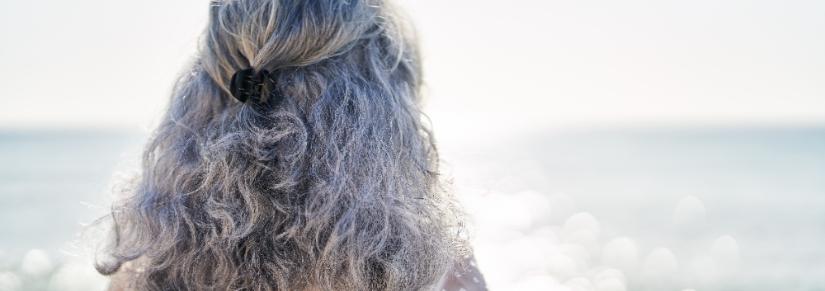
(606, 209)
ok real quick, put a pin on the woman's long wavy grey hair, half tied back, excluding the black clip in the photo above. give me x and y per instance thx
(334, 187)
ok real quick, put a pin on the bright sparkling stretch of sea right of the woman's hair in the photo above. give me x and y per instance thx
(737, 208)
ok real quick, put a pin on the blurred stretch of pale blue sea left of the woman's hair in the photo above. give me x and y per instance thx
(52, 185)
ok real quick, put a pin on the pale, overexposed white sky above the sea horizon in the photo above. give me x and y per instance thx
(106, 63)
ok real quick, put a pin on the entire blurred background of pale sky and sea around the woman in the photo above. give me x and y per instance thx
(597, 145)
